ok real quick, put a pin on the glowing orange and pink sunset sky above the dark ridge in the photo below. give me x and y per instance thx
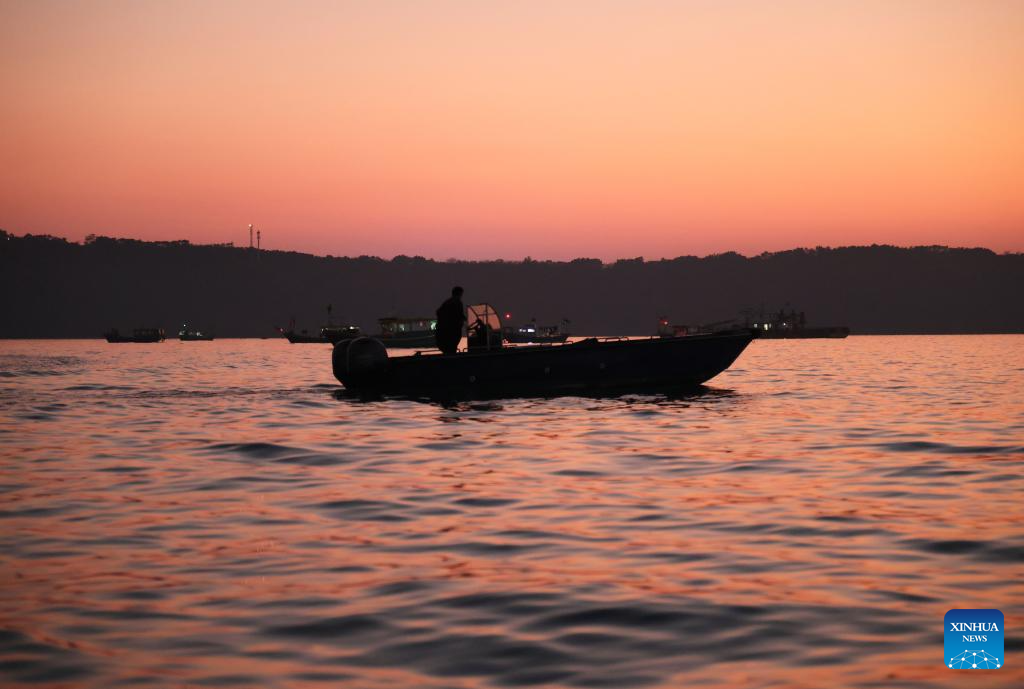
(551, 130)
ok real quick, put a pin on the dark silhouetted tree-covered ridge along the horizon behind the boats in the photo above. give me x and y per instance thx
(55, 288)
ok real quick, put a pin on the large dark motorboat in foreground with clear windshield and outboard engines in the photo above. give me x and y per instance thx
(488, 369)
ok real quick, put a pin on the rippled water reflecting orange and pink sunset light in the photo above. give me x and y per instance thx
(212, 514)
